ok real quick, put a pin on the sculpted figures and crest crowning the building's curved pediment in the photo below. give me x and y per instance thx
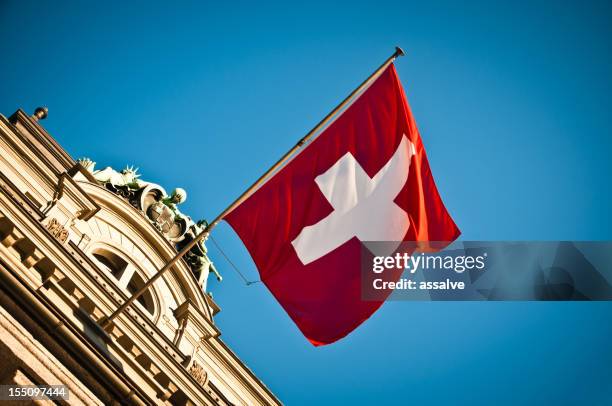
(161, 210)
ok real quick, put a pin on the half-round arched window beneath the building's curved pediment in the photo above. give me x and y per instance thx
(125, 274)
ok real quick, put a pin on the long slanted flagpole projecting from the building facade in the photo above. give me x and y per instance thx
(105, 322)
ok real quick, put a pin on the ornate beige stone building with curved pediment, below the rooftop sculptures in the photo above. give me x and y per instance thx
(75, 242)
